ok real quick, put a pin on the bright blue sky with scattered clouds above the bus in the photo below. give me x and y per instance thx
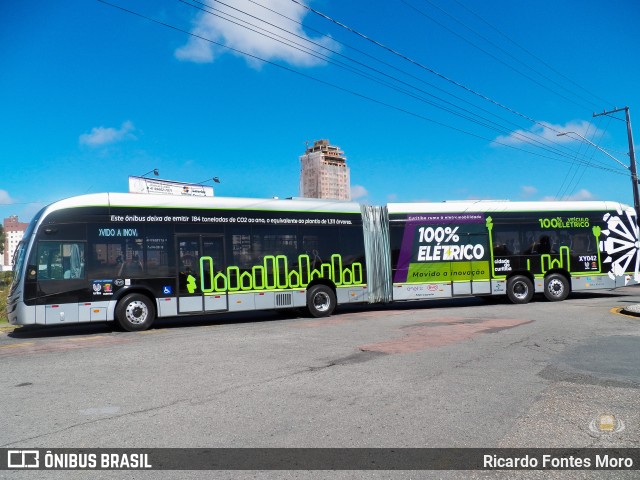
(91, 94)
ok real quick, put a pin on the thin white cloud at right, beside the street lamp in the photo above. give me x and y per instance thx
(548, 132)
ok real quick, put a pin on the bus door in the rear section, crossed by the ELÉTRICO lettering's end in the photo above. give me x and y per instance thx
(471, 275)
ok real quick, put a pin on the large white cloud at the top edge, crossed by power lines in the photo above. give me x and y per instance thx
(230, 33)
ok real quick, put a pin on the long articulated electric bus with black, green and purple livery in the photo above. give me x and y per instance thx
(132, 258)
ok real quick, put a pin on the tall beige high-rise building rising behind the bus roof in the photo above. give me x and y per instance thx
(324, 172)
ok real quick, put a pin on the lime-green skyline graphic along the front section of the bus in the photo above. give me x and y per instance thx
(275, 274)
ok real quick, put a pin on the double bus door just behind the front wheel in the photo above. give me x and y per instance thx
(200, 260)
